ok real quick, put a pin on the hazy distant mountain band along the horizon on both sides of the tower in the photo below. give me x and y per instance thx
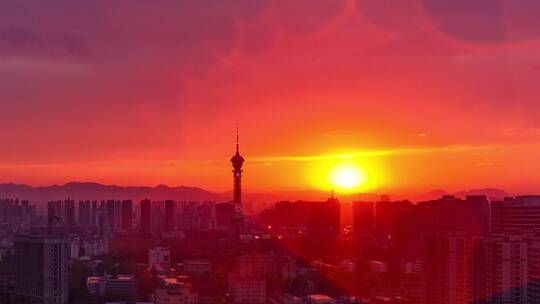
(97, 191)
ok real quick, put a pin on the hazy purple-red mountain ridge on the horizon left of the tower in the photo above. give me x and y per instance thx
(96, 191)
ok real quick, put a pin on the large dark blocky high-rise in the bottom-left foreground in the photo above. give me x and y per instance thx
(40, 268)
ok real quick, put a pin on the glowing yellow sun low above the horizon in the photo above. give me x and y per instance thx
(347, 177)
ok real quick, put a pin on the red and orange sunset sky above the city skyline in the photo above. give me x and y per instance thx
(420, 94)
